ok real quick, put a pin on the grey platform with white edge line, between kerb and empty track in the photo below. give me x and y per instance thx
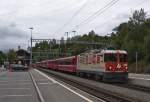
(54, 90)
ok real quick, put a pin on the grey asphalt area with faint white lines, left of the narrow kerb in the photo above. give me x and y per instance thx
(17, 87)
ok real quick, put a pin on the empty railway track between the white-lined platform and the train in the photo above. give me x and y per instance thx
(93, 90)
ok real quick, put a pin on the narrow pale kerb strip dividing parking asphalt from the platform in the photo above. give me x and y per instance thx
(40, 97)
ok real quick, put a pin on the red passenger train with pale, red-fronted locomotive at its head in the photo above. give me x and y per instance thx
(105, 65)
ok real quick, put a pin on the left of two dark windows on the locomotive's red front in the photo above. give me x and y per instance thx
(110, 57)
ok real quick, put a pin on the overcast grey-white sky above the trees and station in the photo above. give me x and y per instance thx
(47, 17)
